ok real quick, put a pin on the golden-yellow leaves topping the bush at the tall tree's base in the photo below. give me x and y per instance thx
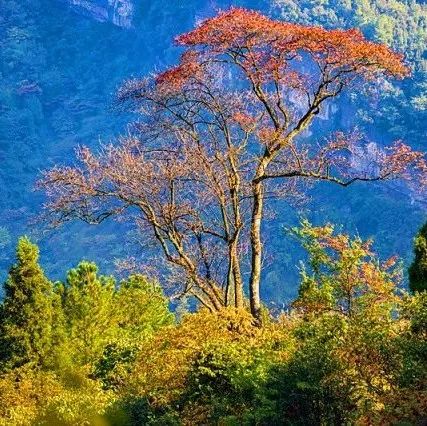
(161, 370)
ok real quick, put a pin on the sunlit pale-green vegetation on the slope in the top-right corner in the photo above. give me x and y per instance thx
(400, 24)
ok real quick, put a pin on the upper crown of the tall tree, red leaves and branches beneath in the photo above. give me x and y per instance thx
(278, 67)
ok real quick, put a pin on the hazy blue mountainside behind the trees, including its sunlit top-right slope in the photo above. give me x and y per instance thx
(61, 62)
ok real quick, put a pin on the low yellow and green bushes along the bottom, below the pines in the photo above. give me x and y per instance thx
(215, 367)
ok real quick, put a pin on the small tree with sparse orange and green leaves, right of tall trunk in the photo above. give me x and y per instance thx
(345, 272)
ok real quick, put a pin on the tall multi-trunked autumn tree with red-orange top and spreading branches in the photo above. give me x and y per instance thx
(220, 134)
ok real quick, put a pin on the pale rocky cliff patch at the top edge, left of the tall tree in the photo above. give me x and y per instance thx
(119, 12)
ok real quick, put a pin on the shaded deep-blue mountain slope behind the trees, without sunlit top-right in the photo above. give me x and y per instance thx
(60, 63)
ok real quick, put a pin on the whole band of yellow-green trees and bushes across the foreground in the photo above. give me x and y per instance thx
(91, 350)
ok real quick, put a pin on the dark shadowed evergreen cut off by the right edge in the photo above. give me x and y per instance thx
(418, 268)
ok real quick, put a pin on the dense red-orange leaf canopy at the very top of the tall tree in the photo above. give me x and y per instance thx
(263, 45)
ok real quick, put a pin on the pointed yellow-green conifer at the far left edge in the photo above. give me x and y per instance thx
(30, 314)
